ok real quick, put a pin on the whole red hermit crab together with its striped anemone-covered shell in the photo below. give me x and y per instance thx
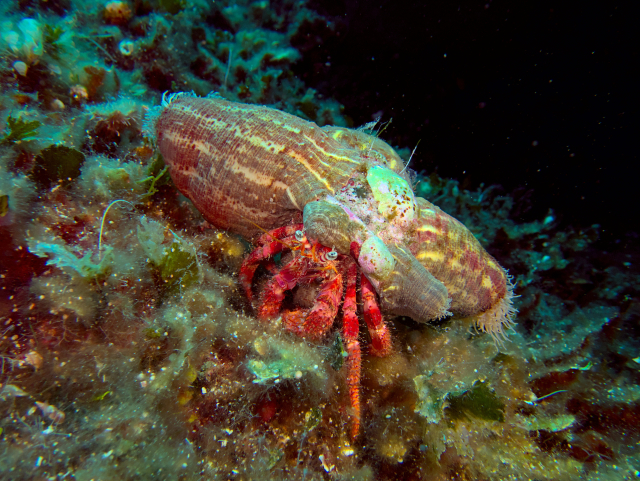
(342, 202)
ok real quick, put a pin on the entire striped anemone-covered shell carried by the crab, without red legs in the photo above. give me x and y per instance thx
(245, 166)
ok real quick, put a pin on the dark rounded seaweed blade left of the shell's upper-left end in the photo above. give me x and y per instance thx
(57, 164)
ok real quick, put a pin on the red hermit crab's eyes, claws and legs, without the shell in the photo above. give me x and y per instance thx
(317, 262)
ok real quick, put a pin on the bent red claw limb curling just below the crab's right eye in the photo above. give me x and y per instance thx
(320, 318)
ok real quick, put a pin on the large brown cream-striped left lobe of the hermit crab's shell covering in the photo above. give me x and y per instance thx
(246, 165)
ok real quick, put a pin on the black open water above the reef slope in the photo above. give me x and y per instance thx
(530, 95)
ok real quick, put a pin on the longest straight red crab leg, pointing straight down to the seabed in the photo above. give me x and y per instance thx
(350, 329)
